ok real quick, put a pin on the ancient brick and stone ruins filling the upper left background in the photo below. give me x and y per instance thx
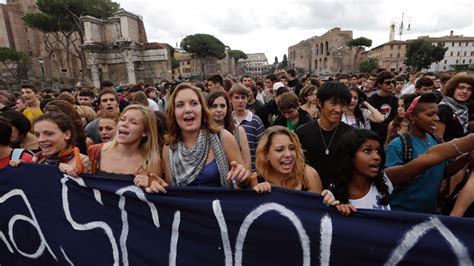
(115, 49)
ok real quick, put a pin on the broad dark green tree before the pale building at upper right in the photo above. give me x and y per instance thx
(421, 54)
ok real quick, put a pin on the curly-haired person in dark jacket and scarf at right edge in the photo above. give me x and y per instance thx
(453, 109)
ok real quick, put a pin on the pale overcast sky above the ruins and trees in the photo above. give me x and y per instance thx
(272, 26)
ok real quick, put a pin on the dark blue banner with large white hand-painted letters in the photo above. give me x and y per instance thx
(50, 219)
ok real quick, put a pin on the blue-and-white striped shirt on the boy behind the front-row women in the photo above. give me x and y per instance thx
(253, 127)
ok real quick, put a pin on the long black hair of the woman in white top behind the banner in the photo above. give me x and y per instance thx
(346, 149)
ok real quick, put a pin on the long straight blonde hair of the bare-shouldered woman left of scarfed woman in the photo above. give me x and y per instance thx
(149, 145)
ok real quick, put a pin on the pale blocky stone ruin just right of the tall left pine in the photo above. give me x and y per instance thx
(116, 49)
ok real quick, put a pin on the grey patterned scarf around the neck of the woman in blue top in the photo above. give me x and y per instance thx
(186, 164)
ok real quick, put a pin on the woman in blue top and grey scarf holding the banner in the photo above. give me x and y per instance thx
(196, 152)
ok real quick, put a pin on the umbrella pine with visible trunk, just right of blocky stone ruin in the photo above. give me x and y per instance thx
(202, 46)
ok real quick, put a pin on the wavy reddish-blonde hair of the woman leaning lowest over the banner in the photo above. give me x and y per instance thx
(297, 176)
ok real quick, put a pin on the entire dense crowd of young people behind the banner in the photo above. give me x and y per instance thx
(384, 141)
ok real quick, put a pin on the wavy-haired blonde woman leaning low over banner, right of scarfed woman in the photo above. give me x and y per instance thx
(280, 163)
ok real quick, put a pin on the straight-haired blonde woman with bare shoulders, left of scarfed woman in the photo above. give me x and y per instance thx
(134, 151)
